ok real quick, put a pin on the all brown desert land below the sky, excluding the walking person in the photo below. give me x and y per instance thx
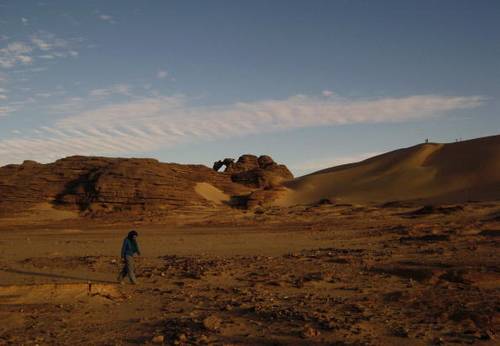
(224, 260)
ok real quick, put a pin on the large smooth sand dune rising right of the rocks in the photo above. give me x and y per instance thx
(444, 173)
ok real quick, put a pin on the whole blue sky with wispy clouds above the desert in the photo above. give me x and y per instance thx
(311, 83)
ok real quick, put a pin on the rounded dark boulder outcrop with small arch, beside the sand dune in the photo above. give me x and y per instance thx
(256, 172)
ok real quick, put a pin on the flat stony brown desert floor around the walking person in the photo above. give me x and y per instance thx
(326, 274)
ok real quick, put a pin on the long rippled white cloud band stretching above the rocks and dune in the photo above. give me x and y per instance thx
(151, 123)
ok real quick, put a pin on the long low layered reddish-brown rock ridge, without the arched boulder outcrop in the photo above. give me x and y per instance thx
(99, 185)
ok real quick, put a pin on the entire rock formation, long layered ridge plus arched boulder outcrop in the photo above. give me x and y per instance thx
(97, 186)
